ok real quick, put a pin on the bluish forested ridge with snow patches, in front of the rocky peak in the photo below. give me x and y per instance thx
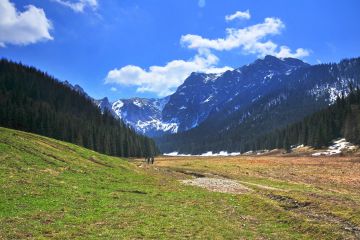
(305, 91)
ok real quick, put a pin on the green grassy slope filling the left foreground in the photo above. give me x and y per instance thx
(52, 189)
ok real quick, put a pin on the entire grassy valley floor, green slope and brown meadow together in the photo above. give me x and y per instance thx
(55, 190)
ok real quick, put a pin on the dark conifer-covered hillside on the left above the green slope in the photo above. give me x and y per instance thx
(33, 101)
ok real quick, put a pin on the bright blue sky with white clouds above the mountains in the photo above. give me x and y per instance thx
(146, 48)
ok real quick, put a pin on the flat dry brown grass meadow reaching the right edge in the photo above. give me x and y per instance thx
(330, 172)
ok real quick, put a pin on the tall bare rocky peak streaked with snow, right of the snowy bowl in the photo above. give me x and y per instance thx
(201, 93)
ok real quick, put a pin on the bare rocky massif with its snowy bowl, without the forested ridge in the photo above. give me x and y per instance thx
(201, 94)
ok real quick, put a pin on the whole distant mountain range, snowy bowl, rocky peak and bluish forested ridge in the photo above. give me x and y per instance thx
(215, 112)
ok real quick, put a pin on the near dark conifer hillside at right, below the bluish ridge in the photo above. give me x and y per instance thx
(318, 130)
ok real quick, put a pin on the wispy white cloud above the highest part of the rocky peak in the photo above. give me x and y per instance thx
(252, 40)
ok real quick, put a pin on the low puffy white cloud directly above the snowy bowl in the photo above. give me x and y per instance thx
(163, 80)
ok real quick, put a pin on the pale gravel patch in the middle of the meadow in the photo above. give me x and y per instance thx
(218, 185)
